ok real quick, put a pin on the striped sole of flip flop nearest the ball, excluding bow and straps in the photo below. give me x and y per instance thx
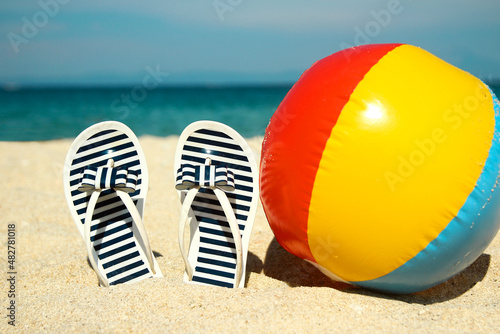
(212, 250)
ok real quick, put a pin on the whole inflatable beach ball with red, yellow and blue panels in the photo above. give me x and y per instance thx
(381, 167)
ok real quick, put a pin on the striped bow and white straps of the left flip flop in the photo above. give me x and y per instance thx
(123, 181)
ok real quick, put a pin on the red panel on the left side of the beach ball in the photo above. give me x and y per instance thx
(297, 135)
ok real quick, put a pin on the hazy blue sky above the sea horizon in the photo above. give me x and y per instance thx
(229, 41)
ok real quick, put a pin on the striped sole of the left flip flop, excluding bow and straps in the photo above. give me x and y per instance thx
(118, 247)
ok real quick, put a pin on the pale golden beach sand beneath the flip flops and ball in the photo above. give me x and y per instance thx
(57, 291)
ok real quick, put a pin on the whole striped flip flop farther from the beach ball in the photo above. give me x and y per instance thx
(106, 182)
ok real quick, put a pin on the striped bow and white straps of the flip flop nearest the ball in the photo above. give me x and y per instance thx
(218, 178)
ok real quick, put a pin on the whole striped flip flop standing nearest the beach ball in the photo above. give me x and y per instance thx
(216, 178)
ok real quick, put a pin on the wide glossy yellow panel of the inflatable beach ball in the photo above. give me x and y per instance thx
(392, 163)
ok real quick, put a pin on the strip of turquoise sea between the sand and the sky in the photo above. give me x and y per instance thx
(39, 114)
